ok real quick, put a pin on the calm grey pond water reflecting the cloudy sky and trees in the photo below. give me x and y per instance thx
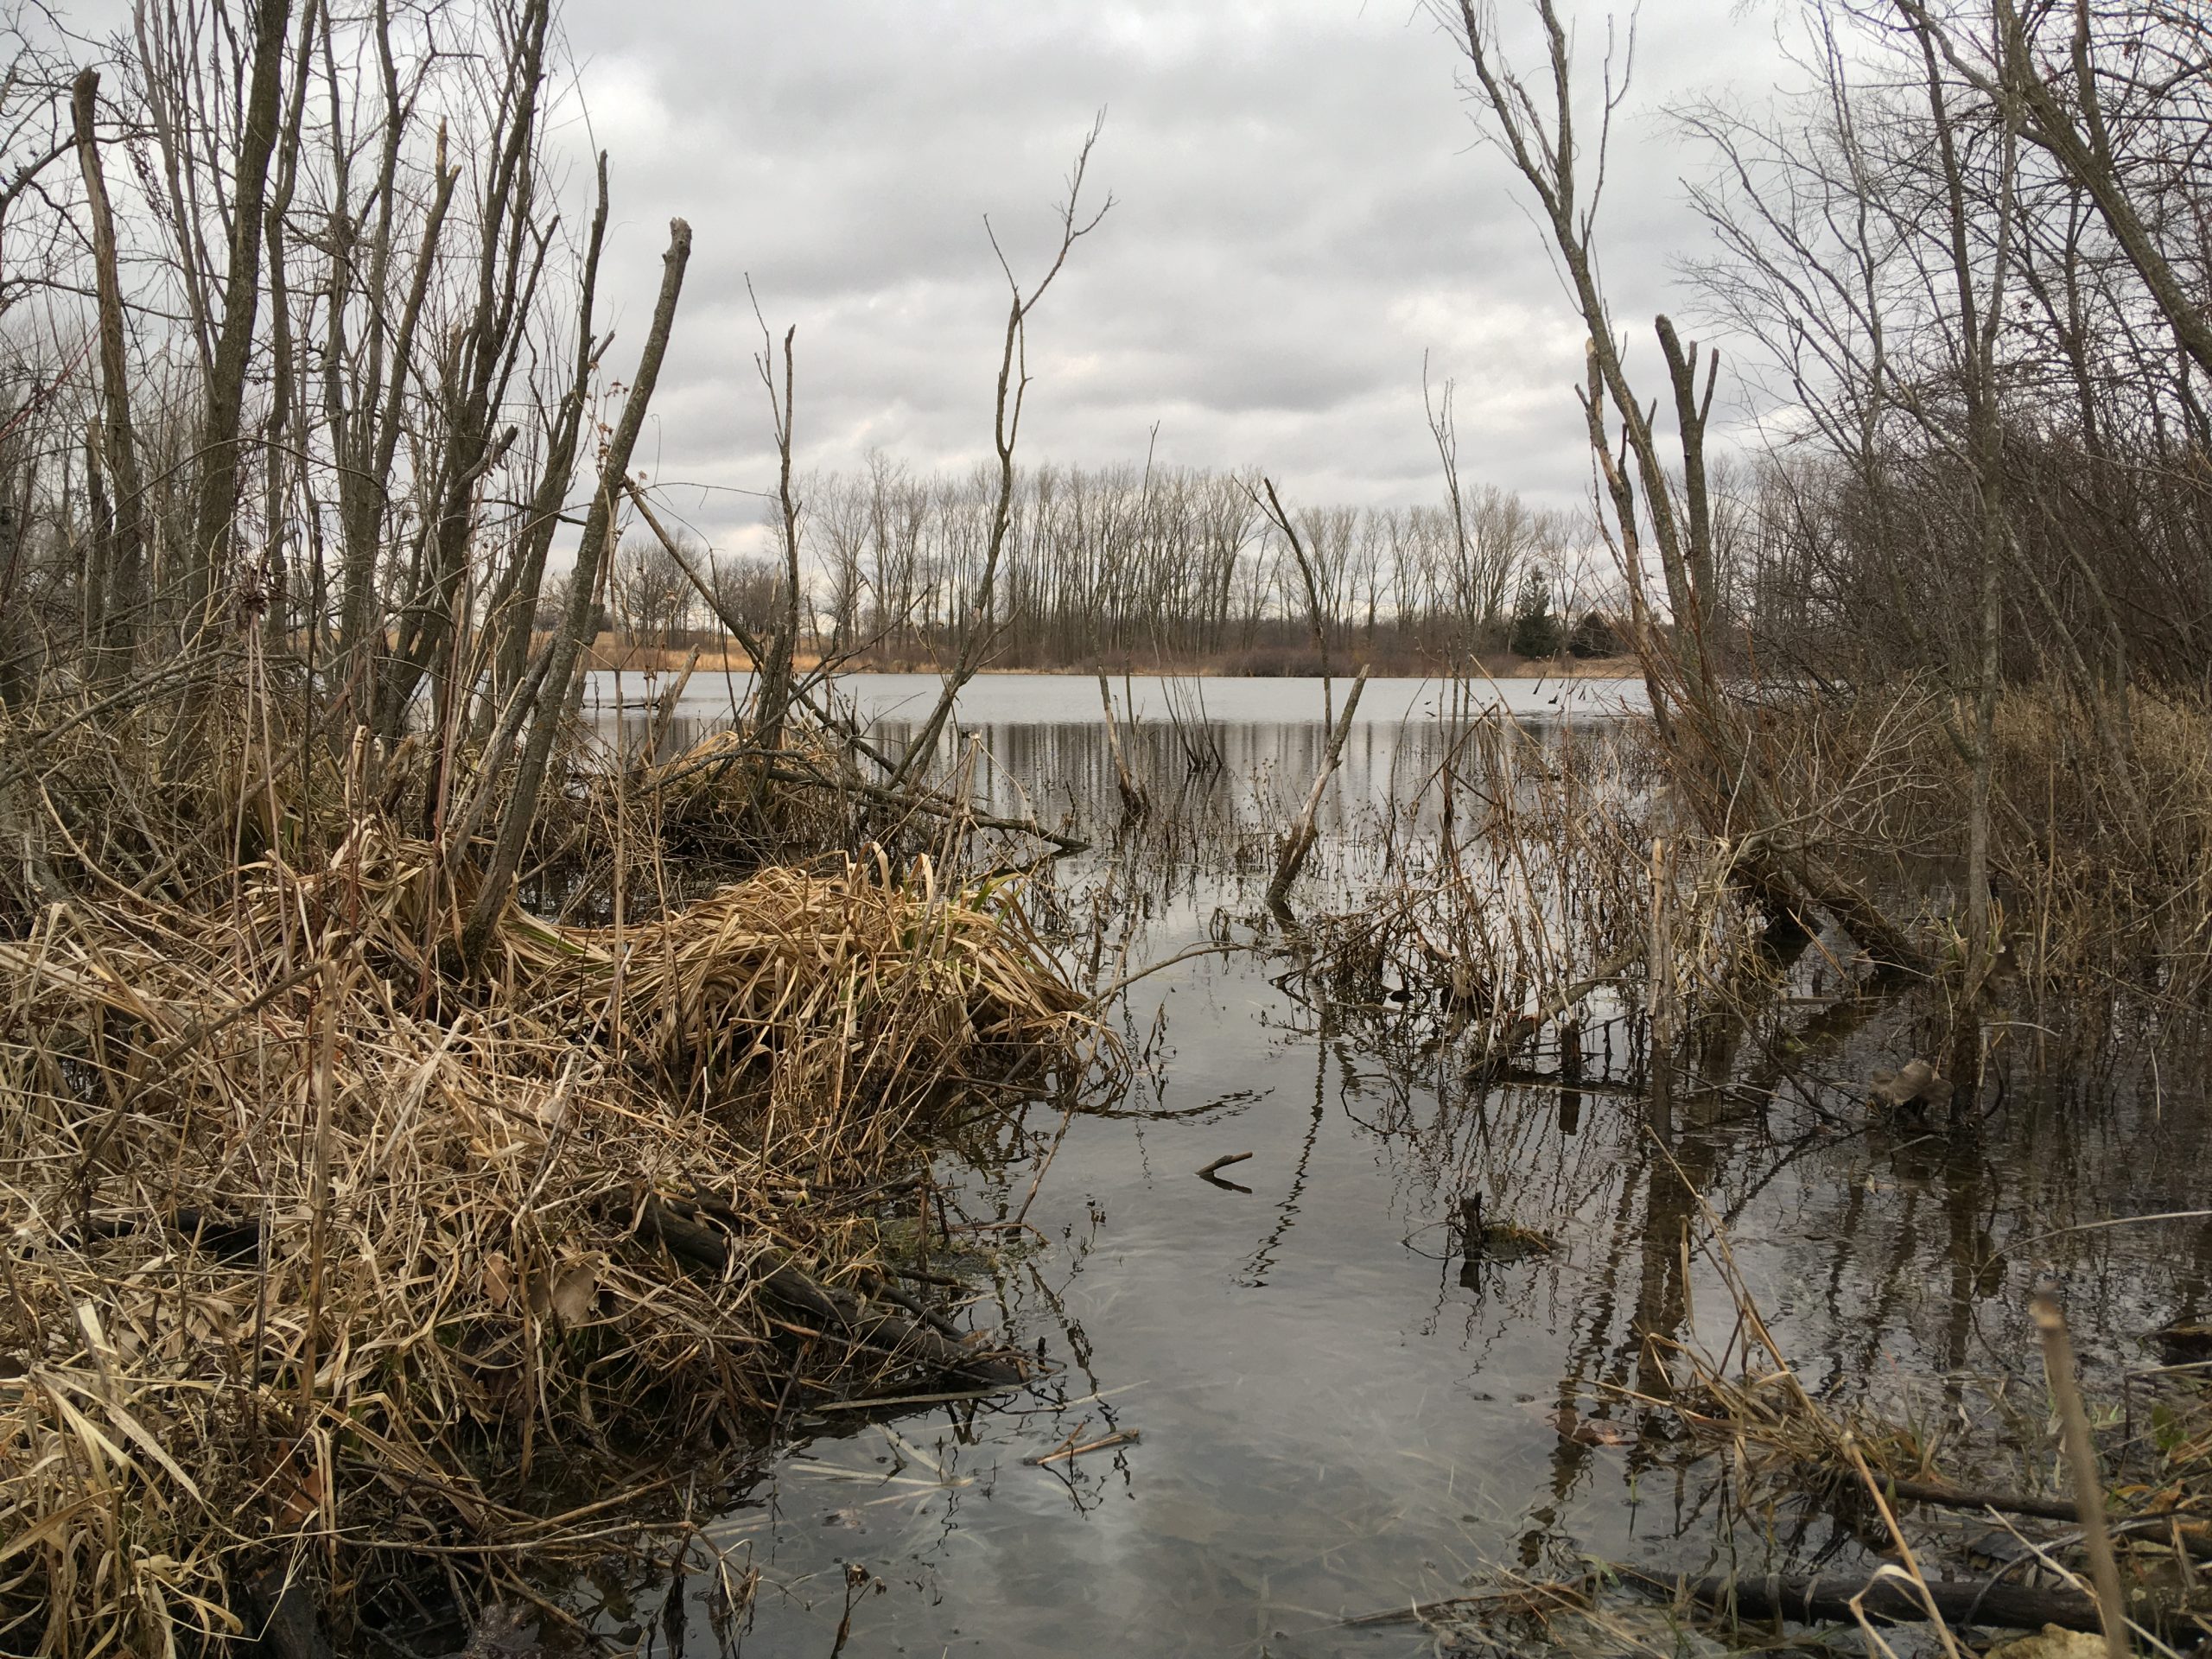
(1328, 1415)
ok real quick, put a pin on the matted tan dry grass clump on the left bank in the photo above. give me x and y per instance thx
(320, 1246)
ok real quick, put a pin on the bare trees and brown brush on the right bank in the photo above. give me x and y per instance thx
(1965, 574)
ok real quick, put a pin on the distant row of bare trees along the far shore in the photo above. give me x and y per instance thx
(1138, 565)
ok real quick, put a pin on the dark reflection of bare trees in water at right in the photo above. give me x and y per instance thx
(1875, 1246)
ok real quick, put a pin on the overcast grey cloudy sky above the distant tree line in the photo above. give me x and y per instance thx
(1300, 216)
